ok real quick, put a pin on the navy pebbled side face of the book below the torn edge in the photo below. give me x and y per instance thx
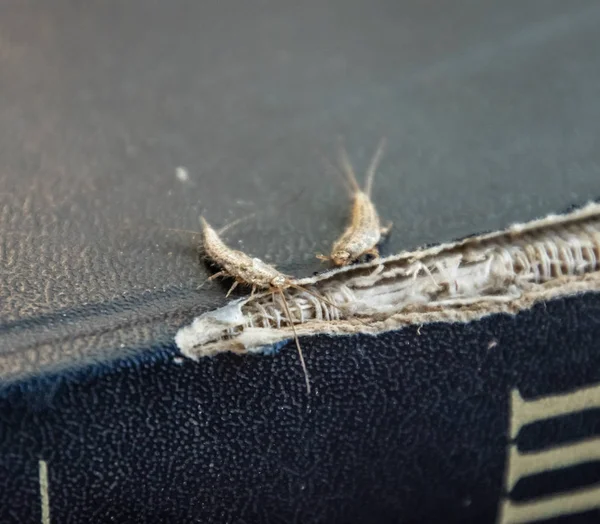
(406, 427)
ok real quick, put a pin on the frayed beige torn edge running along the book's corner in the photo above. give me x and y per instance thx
(499, 272)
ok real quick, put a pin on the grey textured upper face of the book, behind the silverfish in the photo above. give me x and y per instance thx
(490, 110)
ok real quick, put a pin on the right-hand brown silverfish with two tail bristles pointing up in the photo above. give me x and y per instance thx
(364, 232)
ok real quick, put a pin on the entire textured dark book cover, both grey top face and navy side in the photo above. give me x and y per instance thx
(492, 116)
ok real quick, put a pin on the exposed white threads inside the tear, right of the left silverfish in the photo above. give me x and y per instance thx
(532, 258)
